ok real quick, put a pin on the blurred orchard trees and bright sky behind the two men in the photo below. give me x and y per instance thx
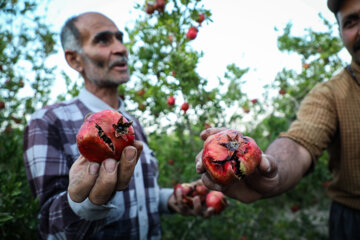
(248, 67)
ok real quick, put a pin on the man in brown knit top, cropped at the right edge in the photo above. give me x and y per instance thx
(329, 118)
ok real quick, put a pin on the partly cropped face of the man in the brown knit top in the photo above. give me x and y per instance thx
(349, 25)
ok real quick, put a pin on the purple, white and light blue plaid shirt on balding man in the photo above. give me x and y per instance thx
(49, 151)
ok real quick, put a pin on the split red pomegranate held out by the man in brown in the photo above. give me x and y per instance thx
(229, 155)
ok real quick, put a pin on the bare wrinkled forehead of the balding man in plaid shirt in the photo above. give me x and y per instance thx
(90, 24)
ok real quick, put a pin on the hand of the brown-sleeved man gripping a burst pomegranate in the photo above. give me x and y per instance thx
(258, 185)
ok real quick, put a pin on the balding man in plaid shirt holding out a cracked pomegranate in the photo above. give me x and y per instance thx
(81, 199)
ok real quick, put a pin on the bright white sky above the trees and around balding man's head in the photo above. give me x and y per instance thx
(242, 32)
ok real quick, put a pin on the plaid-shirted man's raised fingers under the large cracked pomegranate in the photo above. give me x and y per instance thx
(100, 181)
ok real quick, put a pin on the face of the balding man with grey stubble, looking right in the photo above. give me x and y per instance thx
(103, 53)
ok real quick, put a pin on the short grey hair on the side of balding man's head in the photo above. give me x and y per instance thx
(70, 36)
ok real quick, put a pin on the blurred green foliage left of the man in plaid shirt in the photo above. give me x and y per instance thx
(25, 80)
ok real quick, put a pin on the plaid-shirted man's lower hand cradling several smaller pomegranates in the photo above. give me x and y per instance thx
(176, 203)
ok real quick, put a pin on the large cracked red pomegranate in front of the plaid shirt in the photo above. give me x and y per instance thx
(104, 135)
